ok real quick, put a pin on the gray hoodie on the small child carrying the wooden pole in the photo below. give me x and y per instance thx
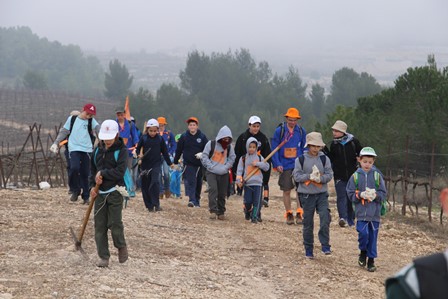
(257, 178)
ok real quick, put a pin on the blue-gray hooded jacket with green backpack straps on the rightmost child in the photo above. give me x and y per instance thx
(369, 211)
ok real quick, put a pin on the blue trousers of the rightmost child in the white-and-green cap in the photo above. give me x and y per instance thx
(368, 236)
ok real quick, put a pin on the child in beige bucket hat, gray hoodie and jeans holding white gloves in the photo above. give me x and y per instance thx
(313, 171)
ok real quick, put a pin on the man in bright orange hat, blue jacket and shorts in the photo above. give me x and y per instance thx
(283, 160)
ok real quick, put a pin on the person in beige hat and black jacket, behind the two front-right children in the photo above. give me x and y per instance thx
(343, 152)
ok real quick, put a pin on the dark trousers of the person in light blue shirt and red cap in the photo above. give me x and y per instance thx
(79, 173)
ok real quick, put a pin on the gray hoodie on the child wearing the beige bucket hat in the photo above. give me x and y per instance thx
(303, 175)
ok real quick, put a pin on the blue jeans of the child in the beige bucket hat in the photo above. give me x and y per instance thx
(310, 203)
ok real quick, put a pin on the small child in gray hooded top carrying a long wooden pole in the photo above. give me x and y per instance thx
(253, 187)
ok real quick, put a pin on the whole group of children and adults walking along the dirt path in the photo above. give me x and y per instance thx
(302, 161)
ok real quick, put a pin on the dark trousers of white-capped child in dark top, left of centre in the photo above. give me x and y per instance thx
(150, 187)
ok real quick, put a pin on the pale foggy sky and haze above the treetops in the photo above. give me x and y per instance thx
(382, 38)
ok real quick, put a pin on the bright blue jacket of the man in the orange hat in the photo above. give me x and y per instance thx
(297, 142)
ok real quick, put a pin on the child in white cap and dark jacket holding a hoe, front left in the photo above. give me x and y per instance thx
(108, 170)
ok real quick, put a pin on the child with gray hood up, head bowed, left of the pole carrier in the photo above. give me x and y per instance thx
(218, 157)
